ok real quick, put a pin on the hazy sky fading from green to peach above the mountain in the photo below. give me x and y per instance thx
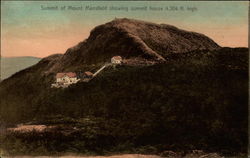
(29, 29)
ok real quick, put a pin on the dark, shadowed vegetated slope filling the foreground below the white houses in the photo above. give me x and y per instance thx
(193, 101)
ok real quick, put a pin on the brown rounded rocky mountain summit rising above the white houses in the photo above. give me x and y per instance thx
(132, 38)
